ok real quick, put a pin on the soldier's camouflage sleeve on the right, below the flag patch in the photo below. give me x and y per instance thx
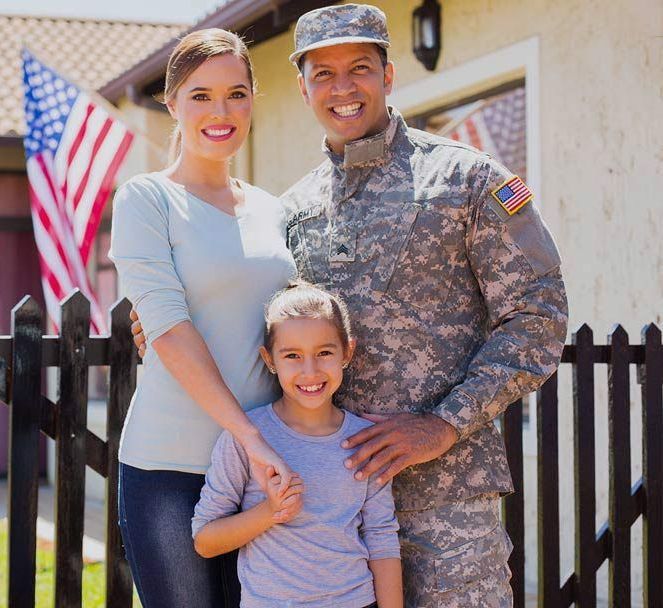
(517, 266)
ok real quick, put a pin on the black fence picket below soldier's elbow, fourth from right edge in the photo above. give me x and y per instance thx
(548, 494)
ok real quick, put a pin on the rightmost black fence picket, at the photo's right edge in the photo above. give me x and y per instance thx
(652, 467)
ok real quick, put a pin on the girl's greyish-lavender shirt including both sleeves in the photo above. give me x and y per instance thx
(320, 557)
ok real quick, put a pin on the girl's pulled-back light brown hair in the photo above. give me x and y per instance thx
(301, 300)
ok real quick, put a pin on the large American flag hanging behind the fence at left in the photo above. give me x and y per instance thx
(73, 150)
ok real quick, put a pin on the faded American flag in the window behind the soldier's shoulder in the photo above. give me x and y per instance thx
(496, 125)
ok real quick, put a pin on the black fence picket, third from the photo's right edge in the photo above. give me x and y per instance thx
(584, 468)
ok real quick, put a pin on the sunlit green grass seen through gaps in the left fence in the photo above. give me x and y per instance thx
(94, 578)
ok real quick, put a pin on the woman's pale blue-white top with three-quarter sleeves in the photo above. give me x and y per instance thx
(180, 258)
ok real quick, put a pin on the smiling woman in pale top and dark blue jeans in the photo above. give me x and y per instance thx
(198, 254)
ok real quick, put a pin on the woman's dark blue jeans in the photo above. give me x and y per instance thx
(155, 509)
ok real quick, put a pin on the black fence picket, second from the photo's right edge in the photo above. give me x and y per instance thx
(619, 425)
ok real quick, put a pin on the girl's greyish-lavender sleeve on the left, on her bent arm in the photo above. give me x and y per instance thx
(225, 481)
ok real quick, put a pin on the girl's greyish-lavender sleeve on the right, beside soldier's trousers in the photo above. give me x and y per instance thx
(379, 527)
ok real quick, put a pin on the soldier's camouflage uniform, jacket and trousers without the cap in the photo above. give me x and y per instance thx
(458, 308)
